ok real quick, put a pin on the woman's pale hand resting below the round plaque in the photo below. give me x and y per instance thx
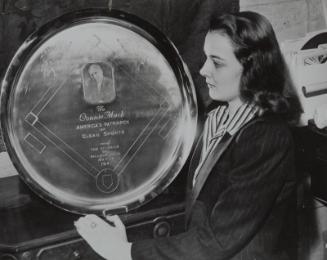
(109, 241)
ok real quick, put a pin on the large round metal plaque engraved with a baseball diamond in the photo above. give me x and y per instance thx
(98, 111)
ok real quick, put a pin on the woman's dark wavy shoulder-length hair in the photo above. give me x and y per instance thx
(265, 80)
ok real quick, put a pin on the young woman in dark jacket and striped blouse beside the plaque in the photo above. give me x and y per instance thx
(242, 202)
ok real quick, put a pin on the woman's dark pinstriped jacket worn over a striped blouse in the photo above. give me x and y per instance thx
(246, 208)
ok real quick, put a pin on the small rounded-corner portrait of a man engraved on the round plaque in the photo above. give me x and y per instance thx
(98, 83)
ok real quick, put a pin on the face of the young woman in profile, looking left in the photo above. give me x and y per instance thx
(221, 69)
